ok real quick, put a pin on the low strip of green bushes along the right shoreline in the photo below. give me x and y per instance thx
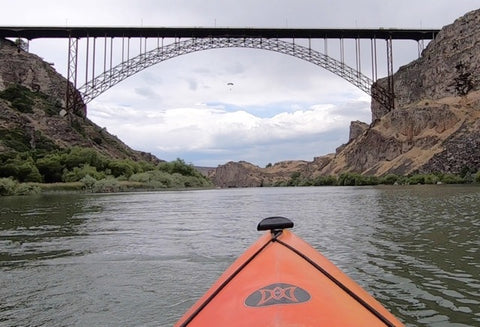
(354, 179)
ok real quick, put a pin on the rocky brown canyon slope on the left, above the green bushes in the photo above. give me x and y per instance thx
(32, 114)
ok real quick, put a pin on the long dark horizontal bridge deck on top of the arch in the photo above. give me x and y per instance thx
(202, 32)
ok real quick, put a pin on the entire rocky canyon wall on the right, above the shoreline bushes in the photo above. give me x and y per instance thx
(435, 126)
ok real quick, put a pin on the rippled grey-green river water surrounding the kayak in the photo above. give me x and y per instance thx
(142, 259)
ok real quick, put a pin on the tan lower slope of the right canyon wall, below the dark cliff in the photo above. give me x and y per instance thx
(413, 138)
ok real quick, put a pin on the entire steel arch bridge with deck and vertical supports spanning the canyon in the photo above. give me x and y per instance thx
(137, 48)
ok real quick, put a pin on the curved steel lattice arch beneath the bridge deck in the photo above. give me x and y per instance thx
(101, 83)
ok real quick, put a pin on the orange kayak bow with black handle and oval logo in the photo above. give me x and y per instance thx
(282, 281)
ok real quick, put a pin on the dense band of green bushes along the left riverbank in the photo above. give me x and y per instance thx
(85, 169)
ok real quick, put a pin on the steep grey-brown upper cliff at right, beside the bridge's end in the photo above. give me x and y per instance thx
(448, 67)
